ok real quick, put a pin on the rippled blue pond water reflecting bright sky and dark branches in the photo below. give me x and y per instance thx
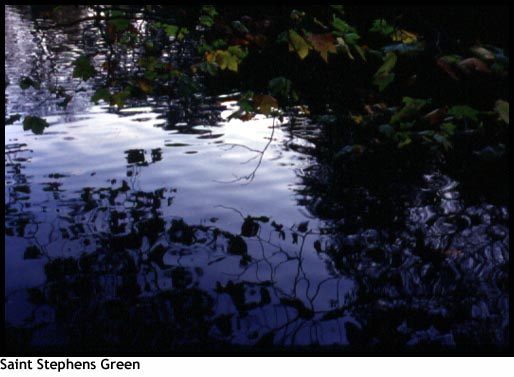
(126, 230)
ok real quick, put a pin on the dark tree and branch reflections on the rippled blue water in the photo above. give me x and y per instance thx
(426, 270)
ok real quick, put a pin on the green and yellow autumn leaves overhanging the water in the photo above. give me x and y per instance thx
(224, 43)
